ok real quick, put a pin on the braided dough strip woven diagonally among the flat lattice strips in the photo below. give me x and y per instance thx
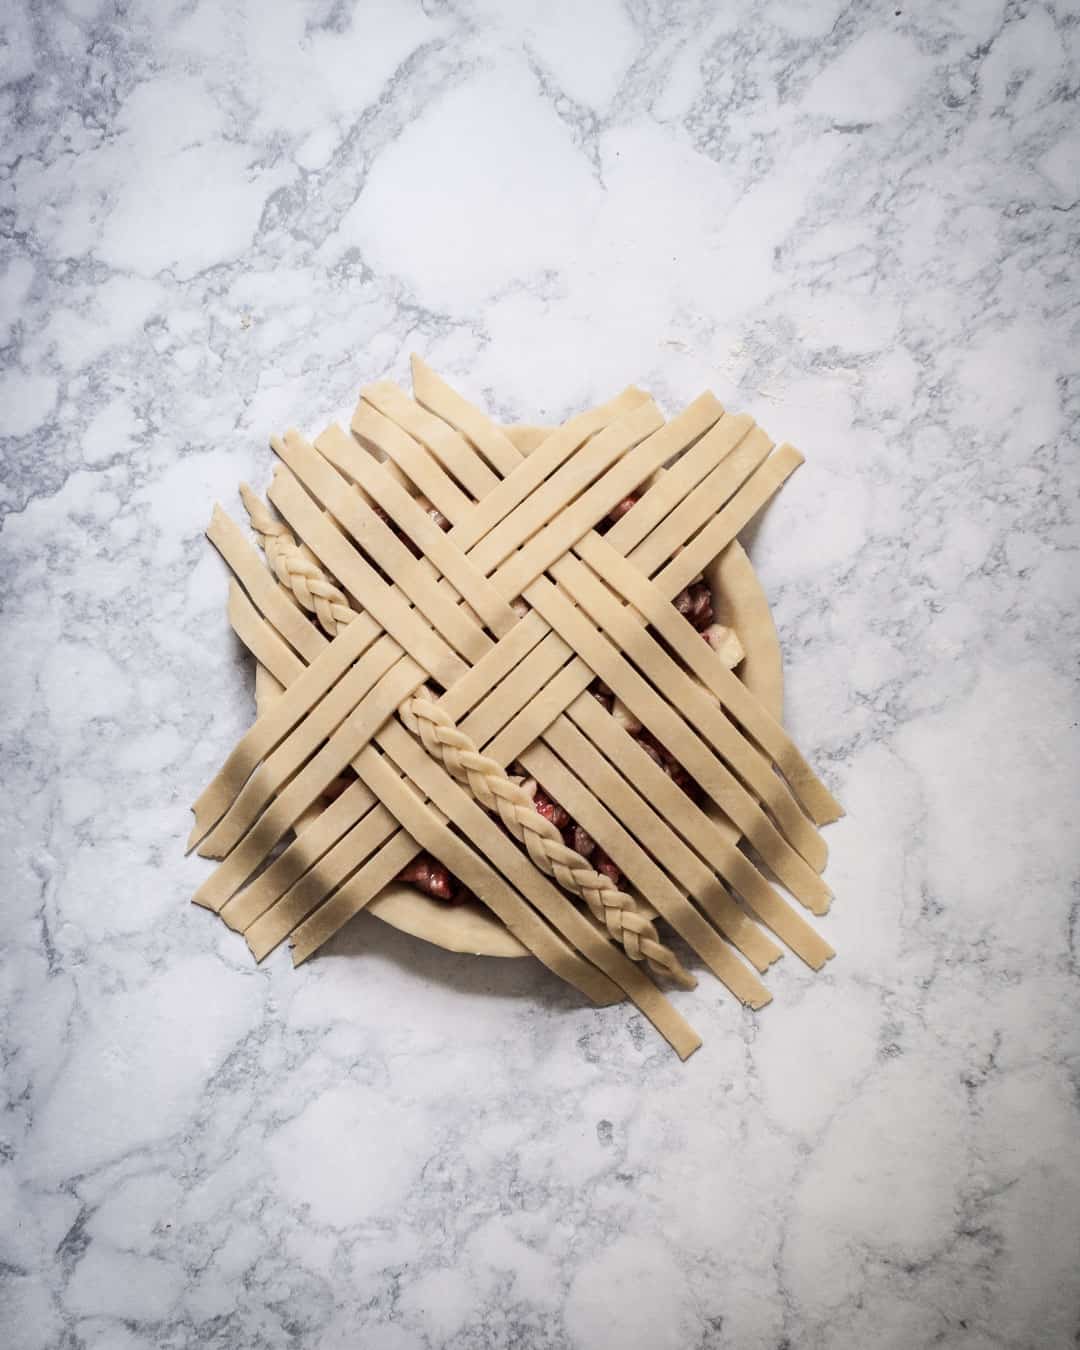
(489, 784)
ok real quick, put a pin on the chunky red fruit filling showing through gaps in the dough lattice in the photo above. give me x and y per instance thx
(696, 604)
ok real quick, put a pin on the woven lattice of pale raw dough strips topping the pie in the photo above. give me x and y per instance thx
(434, 601)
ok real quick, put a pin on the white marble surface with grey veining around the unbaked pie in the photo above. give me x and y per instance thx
(858, 223)
